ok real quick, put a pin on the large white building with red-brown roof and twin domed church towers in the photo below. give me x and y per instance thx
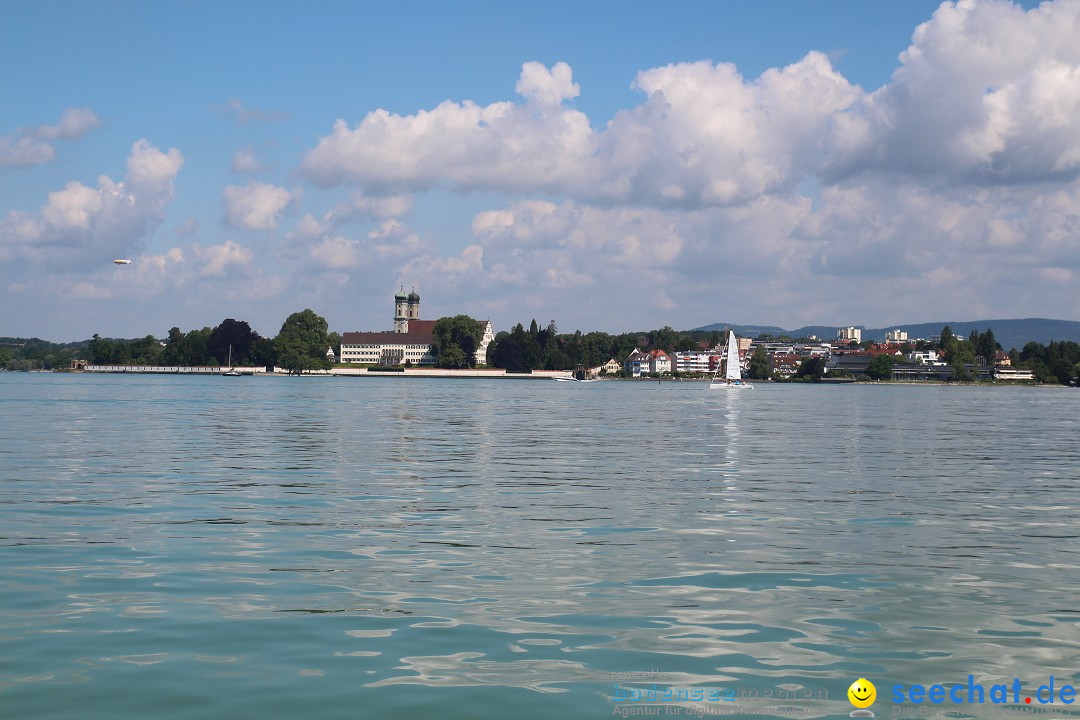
(409, 343)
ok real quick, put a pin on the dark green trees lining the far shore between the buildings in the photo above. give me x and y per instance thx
(304, 339)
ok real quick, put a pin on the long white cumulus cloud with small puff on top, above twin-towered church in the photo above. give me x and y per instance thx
(705, 137)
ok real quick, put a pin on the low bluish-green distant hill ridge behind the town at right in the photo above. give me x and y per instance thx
(1009, 333)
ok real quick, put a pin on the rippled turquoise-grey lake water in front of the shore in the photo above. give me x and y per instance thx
(339, 548)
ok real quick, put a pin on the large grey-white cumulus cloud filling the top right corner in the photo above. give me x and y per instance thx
(989, 93)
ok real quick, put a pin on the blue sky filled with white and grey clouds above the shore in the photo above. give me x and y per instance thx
(611, 166)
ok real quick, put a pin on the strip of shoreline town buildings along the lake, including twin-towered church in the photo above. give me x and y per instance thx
(411, 350)
